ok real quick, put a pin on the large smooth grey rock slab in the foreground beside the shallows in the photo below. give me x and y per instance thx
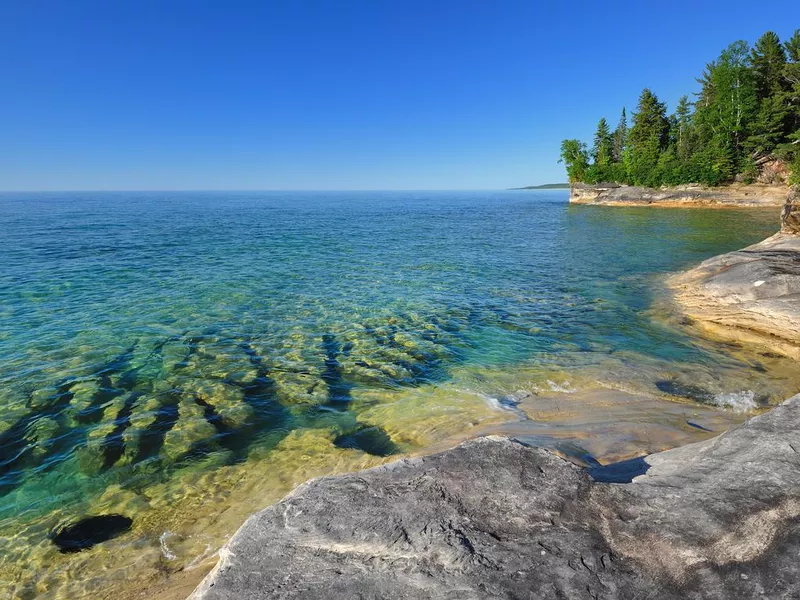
(494, 518)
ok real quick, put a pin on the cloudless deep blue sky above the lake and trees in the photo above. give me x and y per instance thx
(337, 94)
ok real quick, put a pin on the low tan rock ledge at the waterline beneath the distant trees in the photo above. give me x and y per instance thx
(745, 195)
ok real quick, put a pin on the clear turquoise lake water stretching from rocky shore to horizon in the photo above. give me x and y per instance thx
(167, 356)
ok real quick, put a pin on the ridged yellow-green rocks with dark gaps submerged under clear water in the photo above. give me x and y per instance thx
(194, 394)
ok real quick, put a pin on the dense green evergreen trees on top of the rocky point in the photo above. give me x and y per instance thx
(747, 109)
